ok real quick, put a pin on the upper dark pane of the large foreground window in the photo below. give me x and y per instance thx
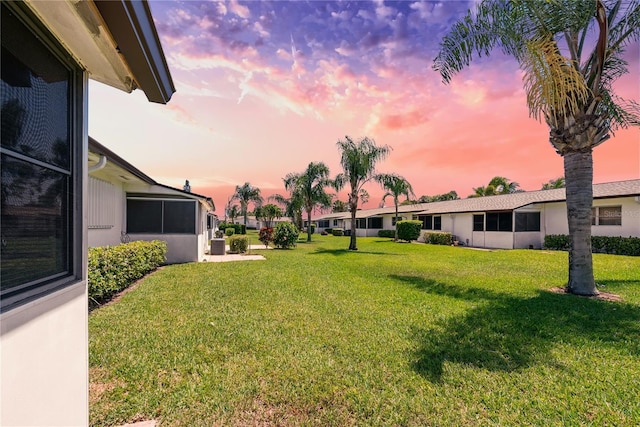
(35, 97)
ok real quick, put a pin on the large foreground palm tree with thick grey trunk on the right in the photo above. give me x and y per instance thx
(568, 81)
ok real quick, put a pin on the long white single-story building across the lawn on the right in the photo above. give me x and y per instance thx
(517, 220)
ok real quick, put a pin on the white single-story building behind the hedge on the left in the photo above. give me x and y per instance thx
(125, 204)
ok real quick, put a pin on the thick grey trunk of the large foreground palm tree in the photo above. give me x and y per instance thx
(578, 170)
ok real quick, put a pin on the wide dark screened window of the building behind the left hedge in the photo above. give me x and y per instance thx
(161, 216)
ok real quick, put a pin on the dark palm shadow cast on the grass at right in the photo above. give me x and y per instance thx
(506, 333)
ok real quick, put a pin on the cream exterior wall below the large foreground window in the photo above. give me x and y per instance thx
(44, 362)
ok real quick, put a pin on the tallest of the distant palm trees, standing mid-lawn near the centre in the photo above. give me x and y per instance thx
(358, 160)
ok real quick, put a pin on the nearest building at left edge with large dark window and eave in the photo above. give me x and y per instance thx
(49, 51)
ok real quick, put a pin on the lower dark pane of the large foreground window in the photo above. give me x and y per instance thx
(35, 229)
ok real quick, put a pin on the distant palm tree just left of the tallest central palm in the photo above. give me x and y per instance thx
(310, 187)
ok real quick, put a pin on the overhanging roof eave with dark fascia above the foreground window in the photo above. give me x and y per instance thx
(114, 40)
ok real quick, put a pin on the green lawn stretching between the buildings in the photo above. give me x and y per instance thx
(394, 334)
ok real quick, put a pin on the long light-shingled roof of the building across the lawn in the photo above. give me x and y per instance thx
(498, 203)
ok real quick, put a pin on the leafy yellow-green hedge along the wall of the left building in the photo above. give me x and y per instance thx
(114, 268)
